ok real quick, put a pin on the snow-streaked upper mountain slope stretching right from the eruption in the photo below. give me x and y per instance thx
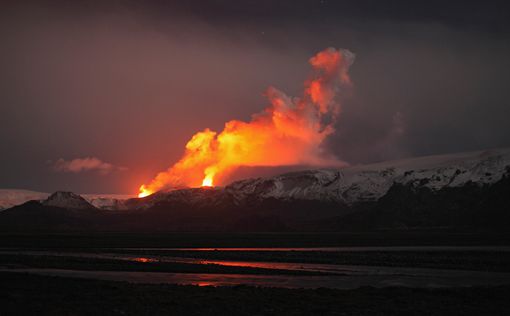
(353, 184)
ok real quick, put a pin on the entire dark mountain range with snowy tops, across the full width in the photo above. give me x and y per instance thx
(455, 191)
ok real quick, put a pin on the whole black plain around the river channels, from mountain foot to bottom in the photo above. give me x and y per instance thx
(31, 294)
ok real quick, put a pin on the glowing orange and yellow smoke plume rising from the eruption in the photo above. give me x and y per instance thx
(288, 132)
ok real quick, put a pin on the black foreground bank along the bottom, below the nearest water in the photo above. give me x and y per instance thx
(24, 294)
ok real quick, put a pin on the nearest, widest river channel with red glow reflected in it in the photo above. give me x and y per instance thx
(464, 278)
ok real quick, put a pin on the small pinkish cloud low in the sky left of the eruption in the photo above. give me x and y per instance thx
(78, 165)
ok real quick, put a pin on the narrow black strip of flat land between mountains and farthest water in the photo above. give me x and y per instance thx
(153, 239)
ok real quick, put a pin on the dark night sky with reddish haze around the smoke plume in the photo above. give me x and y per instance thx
(129, 83)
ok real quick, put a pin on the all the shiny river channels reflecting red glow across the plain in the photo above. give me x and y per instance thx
(339, 276)
